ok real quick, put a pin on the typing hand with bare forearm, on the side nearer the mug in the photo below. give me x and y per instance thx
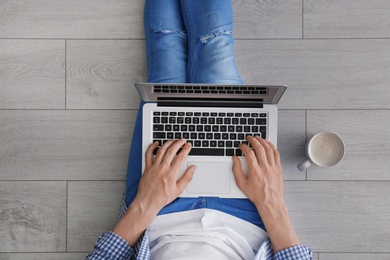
(263, 185)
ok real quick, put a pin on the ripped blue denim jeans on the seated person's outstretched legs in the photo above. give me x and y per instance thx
(188, 41)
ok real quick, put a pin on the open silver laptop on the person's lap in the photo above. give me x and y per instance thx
(215, 119)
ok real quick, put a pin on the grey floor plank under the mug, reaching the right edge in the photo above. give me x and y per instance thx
(367, 141)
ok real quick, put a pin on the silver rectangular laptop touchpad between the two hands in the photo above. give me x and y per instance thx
(210, 178)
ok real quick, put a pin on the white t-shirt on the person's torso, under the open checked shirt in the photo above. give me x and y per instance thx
(203, 234)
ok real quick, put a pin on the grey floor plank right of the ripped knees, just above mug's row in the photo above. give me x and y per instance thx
(320, 74)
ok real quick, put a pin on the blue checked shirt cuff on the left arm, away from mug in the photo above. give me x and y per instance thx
(111, 246)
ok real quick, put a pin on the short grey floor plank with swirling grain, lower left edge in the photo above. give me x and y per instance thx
(32, 216)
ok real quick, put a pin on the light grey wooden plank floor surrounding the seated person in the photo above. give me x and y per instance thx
(68, 105)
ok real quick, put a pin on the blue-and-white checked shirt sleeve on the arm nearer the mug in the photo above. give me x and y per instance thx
(296, 252)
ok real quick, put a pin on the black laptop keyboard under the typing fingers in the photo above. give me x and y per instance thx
(210, 133)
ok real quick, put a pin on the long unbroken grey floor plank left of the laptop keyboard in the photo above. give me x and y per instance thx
(65, 145)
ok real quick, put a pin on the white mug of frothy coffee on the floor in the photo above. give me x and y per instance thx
(324, 149)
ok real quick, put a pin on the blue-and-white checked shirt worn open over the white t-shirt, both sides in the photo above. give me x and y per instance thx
(111, 246)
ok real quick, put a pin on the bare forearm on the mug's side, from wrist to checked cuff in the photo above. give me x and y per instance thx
(279, 226)
